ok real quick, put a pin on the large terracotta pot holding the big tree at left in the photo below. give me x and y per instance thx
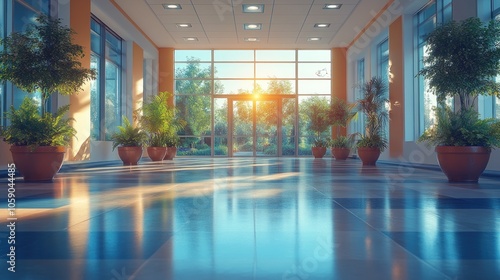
(38, 165)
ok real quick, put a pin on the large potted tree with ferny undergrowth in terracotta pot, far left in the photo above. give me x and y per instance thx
(41, 59)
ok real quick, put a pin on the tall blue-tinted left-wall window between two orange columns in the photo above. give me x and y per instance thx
(106, 89)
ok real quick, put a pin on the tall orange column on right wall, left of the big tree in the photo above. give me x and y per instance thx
(396, 88)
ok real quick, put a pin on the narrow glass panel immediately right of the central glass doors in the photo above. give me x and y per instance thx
(288, 128)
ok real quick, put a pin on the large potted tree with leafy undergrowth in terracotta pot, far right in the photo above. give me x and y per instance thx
(462, 63)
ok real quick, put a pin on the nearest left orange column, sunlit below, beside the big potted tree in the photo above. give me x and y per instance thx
(80, 103)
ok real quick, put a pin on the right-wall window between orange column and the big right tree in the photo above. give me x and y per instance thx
(426, 20)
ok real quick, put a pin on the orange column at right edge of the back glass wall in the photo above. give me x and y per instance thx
(339, 78)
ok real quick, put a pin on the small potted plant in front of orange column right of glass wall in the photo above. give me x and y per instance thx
(341, 113)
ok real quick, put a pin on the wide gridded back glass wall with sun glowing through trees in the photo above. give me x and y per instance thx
(252, 96)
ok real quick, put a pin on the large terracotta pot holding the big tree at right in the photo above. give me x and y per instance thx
(463, 164)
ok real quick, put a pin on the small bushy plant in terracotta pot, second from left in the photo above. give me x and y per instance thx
(129, 140)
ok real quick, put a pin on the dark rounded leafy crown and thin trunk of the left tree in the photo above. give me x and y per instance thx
(43, 58)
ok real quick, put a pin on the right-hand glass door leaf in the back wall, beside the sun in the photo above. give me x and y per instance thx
(267, 128)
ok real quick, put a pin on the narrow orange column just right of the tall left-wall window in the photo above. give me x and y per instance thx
(137, 76)
